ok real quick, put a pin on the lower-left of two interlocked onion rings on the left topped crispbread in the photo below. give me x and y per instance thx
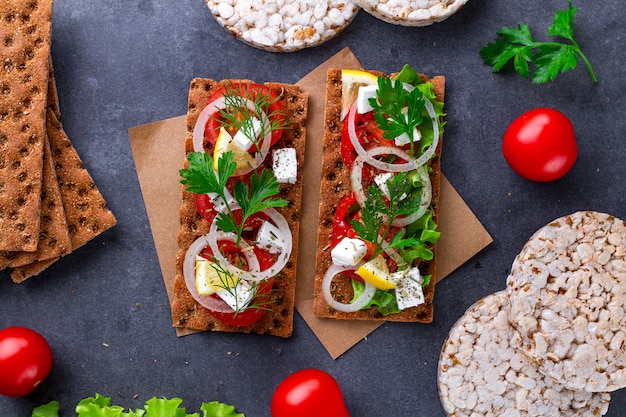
(189, 272)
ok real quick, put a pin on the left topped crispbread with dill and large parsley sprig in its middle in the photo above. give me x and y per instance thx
(238, 275)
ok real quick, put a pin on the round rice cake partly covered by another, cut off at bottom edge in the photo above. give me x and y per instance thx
(482, 372)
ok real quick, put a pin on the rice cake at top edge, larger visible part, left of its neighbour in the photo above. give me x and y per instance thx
(283, 25)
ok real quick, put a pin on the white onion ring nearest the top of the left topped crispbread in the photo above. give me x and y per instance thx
(220, 104)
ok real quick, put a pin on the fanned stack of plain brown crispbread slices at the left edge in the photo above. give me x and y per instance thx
(49, 204)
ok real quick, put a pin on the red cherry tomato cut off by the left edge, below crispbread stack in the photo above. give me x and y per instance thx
(25, 361)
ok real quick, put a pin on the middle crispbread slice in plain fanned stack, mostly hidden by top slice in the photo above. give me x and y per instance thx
(54, 238)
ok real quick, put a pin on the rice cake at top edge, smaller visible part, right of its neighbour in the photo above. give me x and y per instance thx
(411, 12)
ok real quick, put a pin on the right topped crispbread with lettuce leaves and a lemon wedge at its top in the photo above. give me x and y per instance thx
(379, 196)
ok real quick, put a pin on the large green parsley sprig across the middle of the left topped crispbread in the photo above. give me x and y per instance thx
(201, 178)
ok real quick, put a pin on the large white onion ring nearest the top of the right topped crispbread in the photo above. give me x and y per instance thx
(411, 163)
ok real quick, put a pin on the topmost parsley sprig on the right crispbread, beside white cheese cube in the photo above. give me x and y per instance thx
(397, 111)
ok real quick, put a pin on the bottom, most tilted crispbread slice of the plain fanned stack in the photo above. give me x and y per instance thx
(86, 211)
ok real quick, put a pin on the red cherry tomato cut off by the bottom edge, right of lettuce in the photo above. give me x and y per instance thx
(308, 393)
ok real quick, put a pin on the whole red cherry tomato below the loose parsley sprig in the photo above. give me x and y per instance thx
(540, 145)
